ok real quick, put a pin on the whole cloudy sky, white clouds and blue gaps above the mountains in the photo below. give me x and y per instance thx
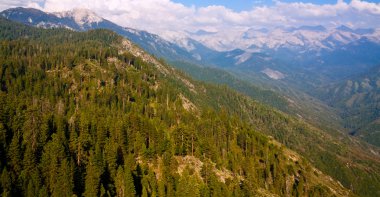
(169, 17)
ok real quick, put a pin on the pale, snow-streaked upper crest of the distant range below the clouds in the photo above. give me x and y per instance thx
(304, 38)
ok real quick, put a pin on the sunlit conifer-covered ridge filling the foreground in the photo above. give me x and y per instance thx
(80, 115)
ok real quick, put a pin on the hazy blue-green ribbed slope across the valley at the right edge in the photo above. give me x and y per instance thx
(358, 99)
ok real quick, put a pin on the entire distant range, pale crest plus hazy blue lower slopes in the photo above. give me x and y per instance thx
(311, 51)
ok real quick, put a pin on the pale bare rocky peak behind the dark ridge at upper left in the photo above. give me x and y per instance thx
(81, 16)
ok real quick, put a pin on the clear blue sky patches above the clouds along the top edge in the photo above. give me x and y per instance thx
(245, 5)
